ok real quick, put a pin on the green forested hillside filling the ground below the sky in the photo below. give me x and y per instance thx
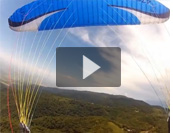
(86, 112)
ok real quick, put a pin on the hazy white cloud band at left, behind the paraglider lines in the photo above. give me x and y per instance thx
(22, 70)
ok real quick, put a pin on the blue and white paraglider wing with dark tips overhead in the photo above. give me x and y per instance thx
(52, 14)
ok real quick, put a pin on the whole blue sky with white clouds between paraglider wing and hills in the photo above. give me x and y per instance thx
(145, 54)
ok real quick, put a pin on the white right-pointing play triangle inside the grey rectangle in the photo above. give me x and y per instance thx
(89, 67)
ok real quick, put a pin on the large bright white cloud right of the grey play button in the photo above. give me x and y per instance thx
(148, 45)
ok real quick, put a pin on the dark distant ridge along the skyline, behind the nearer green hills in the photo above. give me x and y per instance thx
(98, 98)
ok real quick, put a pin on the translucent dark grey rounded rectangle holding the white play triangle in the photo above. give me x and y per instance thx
(70, 71)
